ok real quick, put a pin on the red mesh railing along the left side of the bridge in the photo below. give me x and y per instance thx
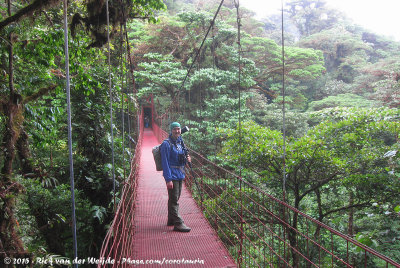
(118, 242)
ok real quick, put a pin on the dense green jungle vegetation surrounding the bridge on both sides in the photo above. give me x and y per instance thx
(342, 98)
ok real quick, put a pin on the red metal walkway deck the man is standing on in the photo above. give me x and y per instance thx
(153, 239)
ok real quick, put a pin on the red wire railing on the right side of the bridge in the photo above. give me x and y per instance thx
(260, 230)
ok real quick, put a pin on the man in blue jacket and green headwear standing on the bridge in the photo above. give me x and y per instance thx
(173, 159)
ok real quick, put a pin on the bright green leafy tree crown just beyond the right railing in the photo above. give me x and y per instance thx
(349, 151)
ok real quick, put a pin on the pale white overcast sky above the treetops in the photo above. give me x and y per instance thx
(381, 17)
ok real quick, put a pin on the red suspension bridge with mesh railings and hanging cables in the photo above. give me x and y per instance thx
(234, 223)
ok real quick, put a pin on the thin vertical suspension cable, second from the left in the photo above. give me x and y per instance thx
(111, 101)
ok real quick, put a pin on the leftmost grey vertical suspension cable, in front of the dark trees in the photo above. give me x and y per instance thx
(71, 162)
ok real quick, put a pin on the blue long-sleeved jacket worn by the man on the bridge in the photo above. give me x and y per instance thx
(170, 151)
